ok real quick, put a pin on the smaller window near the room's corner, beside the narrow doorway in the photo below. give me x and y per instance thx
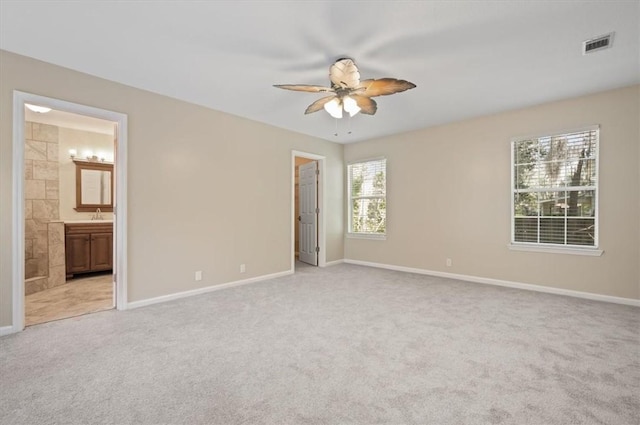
(367, 186)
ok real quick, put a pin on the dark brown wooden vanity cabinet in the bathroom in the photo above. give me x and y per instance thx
(89, 247)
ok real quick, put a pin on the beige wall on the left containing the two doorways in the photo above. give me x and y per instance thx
(206, 190)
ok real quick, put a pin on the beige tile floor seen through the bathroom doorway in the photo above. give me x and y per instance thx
(76, 297)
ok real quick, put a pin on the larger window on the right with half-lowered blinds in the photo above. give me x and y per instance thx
(554, 188)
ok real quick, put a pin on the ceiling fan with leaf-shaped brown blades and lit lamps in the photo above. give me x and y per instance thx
(348, 92)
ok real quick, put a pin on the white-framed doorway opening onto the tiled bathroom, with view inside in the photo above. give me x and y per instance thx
(71, 160)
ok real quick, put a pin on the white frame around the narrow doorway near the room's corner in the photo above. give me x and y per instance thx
(322, 237)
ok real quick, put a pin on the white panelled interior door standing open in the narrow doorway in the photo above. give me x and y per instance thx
(308, 219)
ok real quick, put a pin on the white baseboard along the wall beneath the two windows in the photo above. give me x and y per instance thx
(505, 283)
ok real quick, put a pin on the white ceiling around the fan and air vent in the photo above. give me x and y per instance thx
(467, 58)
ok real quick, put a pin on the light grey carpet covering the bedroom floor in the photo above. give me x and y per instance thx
(339, 345)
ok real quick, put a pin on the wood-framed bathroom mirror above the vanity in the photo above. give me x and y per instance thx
(94, 186)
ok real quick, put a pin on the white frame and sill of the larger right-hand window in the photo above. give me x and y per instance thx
(592, 250)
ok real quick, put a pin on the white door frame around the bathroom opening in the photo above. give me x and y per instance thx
(120, 210)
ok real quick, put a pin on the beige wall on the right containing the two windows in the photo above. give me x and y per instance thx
(449, 197)
